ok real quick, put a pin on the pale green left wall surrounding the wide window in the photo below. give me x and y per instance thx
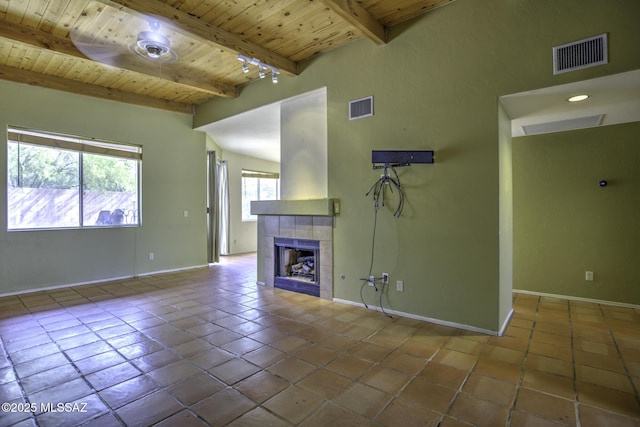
(173, 180)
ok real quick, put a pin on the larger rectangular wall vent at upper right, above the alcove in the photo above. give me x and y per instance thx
(581, 54)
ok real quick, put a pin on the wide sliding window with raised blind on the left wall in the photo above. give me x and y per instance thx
(57, 181)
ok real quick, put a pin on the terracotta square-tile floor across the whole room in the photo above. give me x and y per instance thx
(210, 347)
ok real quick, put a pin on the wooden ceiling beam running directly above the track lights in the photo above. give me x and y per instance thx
(223, 39)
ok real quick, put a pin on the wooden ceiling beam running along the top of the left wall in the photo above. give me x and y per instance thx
(37, 79)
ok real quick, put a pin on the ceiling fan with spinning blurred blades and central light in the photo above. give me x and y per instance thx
(114, 37)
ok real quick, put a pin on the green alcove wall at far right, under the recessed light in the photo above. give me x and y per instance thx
(565, 224)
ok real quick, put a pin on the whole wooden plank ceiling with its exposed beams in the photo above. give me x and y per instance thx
(84, 46)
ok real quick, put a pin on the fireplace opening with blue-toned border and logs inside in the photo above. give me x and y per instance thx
(297, 265)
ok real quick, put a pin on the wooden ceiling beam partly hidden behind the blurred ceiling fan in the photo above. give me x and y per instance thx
(41, 39)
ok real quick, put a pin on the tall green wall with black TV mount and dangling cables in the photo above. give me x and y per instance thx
(436, 85)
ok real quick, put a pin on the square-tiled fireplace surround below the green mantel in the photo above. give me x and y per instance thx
(314, 227)
